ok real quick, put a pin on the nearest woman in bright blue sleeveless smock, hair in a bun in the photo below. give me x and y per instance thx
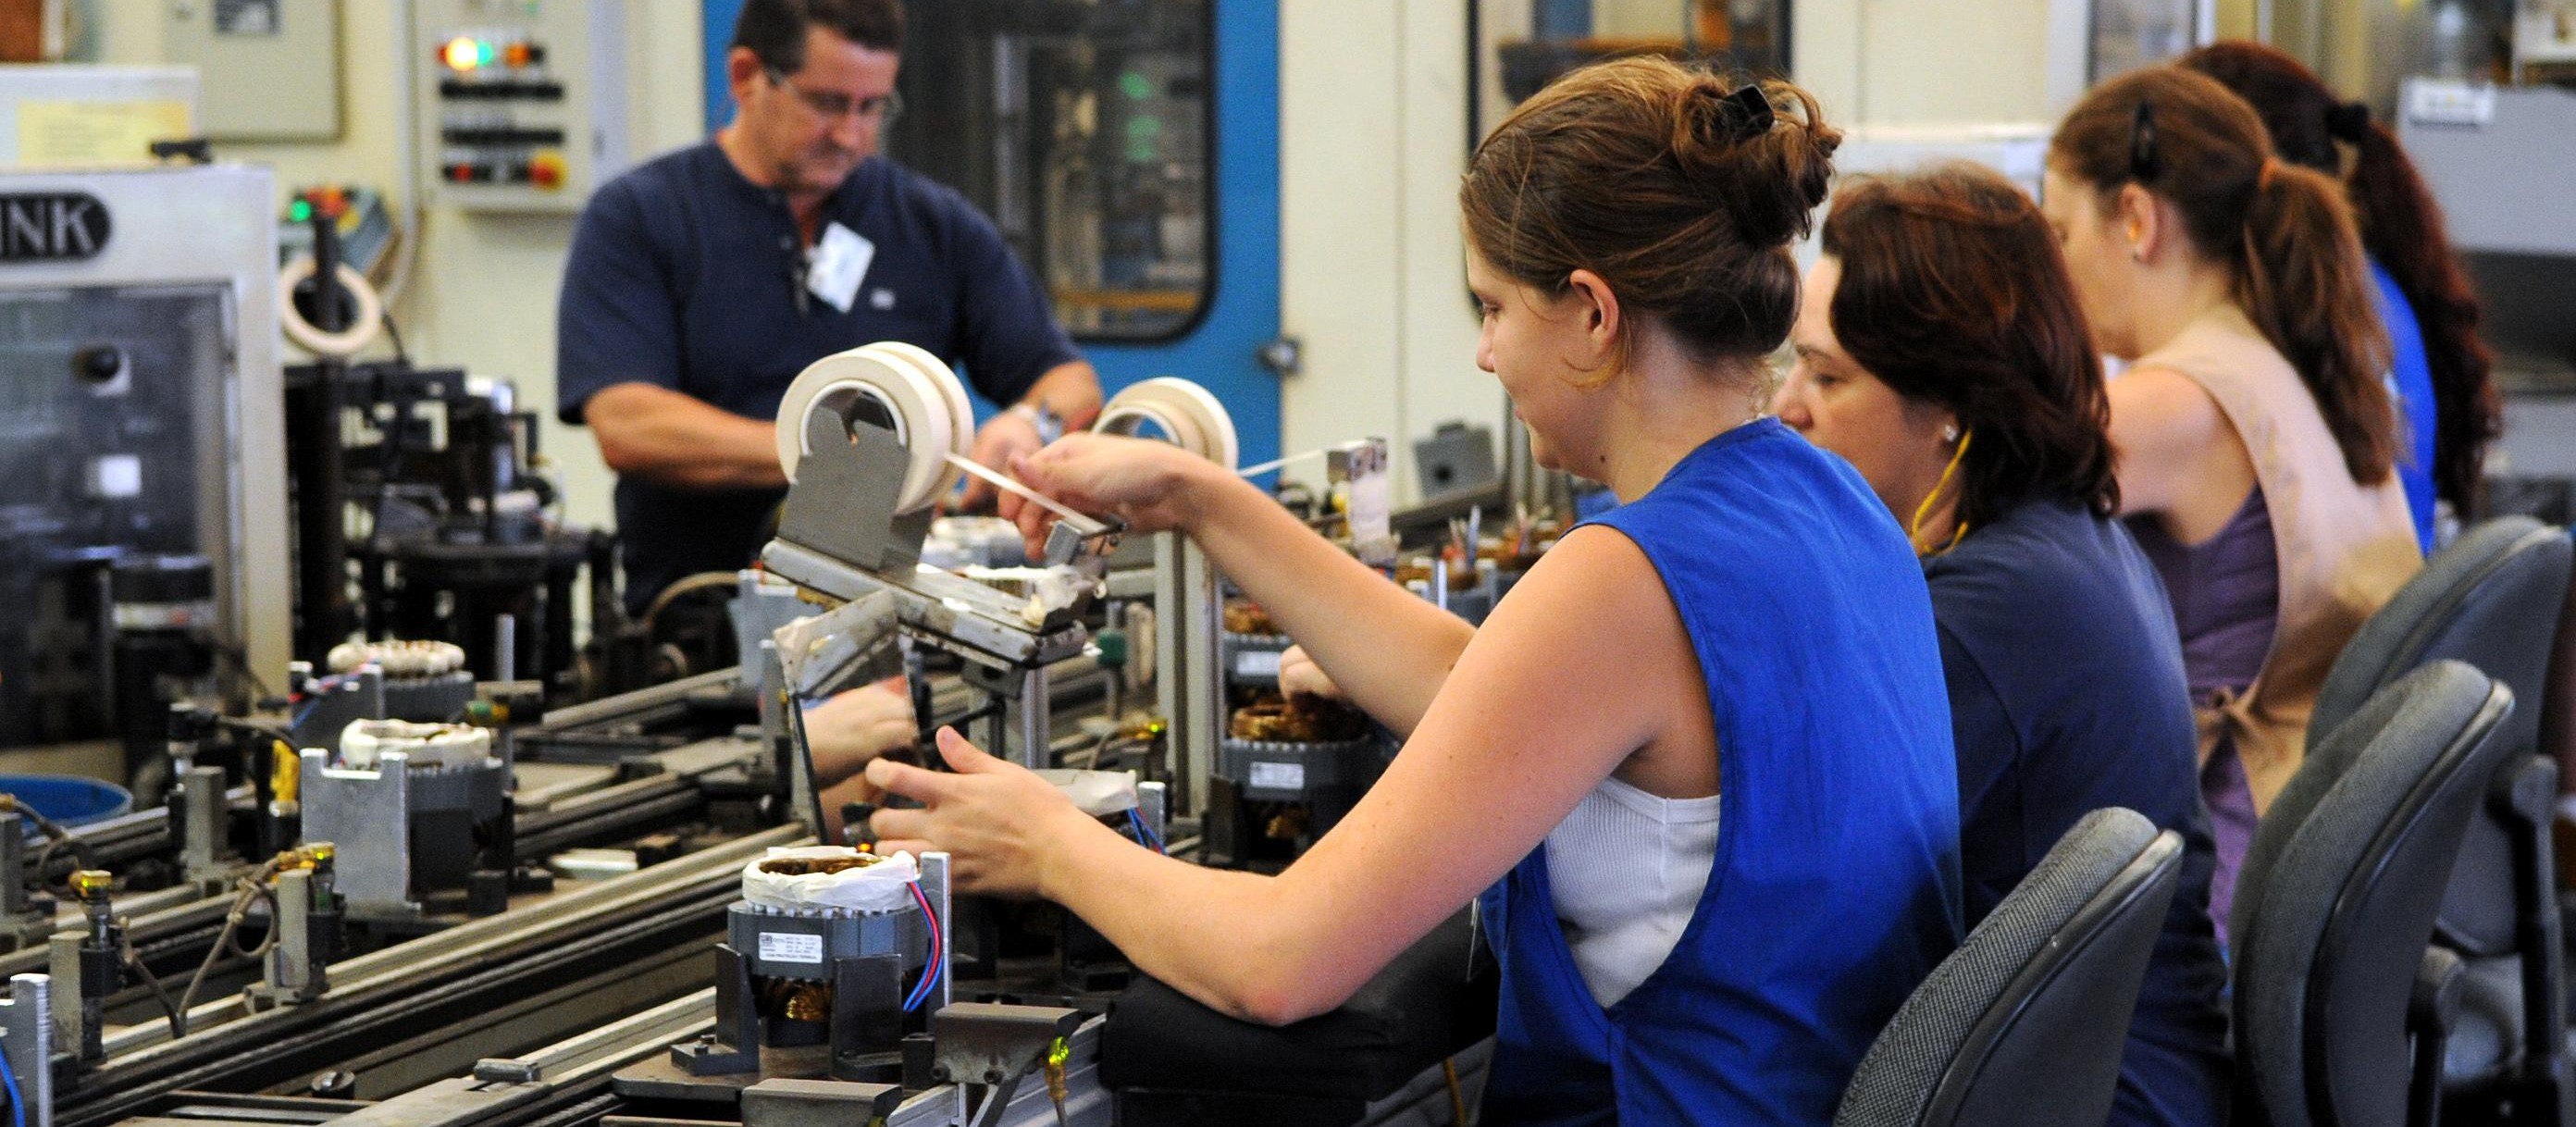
(1696, 763)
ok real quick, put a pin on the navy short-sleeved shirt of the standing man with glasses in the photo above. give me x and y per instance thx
(684, 277)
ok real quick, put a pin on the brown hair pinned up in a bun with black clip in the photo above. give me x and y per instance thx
(1678, 189)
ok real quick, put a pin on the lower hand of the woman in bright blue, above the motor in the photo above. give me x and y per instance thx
(996, 820)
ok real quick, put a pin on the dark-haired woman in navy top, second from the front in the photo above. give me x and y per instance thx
(1944, 354)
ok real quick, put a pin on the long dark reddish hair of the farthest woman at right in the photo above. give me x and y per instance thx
(2402, 230)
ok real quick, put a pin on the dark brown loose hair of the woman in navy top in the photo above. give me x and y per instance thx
(1954, 292)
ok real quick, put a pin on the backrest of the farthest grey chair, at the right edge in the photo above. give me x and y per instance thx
(2492, 601)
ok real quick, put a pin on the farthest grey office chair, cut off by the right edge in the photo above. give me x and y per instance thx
(2492, 601)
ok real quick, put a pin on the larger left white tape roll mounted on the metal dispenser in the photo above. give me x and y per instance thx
(926, 400)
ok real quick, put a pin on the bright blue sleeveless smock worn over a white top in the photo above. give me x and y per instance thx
(1835, 879)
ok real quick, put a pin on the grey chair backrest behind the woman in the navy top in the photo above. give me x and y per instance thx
(2338, 897)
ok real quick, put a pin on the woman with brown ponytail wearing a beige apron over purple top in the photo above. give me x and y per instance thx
(2253, 426)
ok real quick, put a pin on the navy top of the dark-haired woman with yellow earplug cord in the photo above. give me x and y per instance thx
(2067, 696)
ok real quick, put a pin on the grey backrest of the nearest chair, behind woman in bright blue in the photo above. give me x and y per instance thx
(2026, 1020)
